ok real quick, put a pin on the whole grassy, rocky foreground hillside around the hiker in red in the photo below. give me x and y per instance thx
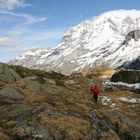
(50, 106)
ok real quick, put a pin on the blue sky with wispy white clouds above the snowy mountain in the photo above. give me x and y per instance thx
(26, 24)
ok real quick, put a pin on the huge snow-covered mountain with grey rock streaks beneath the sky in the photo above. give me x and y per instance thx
(109, 40)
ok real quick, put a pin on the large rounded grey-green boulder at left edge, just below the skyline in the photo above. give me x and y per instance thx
(7, 74)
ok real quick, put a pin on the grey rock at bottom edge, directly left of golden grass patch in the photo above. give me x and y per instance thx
(36, 131)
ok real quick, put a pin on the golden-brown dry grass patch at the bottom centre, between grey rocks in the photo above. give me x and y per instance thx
(74, 128)
